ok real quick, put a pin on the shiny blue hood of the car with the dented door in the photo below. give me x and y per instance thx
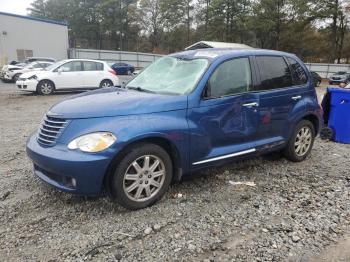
(116, 102)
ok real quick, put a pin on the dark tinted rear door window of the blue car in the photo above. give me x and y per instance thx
(274, 72)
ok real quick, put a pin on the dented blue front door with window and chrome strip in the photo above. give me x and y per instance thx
(225, 123)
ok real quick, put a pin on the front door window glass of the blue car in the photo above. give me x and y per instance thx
(230, 78)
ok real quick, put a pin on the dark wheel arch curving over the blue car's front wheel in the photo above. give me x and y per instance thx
(165, 143)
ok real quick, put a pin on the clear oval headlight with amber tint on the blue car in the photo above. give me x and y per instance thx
(93, 142)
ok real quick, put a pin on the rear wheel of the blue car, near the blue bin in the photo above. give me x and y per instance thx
(304, 132)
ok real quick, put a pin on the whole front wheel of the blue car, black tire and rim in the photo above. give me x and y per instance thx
(144, 190)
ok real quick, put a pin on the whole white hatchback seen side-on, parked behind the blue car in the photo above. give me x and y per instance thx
(69, 74)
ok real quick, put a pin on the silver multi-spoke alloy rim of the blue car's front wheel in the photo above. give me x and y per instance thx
(144, 178)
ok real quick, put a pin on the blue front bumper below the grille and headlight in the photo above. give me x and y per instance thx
(68, 170)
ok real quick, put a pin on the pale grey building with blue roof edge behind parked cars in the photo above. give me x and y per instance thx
(23, 36)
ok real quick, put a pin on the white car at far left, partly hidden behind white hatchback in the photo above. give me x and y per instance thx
(12, 73)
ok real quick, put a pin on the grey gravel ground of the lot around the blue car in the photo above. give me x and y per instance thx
(296, 211)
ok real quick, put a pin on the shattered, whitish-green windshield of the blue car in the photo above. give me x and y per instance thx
(170, 75)
